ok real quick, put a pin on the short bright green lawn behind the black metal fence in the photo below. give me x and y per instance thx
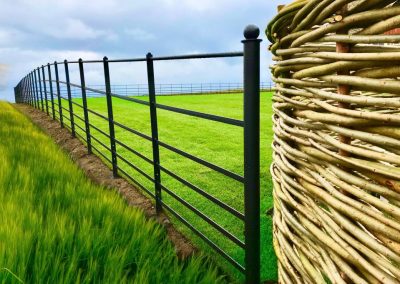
(215, 142)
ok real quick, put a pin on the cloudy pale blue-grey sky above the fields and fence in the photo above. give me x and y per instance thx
(35, 32)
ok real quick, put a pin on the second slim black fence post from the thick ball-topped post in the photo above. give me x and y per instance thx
(110, 116)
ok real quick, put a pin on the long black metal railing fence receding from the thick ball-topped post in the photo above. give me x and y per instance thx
(36, 89)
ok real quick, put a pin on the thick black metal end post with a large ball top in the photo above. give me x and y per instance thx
(252, 152)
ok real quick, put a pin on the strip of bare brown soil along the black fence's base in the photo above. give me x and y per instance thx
(100, 174)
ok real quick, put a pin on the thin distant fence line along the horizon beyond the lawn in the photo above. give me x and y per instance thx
(170, 89)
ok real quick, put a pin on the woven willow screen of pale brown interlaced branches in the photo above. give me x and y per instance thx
(336, 168)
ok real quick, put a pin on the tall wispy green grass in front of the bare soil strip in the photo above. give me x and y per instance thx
(57, 227)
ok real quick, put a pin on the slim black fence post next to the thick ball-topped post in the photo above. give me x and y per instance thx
(154, 130)
